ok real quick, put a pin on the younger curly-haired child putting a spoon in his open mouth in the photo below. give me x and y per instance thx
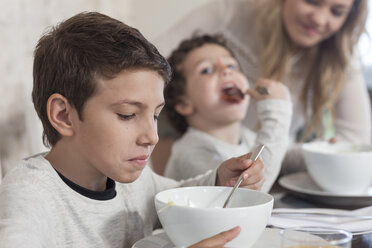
(204, 68)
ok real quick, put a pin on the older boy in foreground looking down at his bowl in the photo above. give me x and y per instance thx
(98, 90)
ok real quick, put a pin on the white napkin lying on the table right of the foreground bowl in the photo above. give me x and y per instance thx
(349, 224)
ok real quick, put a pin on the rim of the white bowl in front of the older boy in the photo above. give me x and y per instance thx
(269, 201)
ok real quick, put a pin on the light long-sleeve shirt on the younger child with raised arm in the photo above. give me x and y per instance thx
(197, 152)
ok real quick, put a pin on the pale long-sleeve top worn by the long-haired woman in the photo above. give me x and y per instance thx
(236, 21)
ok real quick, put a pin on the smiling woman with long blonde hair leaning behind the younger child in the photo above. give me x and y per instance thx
(310, 45)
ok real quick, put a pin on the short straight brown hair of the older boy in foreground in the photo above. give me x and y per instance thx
(73, 55)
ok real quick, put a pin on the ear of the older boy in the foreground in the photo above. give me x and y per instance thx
(59, 113)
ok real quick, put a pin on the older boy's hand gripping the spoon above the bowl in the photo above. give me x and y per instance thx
(253, 173)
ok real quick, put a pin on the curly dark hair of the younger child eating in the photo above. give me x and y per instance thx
(176, 89)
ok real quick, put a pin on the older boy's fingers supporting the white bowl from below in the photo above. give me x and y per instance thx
(218, 240)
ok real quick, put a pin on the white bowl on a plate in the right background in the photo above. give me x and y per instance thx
(340, 168)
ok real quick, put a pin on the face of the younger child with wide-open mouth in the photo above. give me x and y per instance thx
(208, 70)
